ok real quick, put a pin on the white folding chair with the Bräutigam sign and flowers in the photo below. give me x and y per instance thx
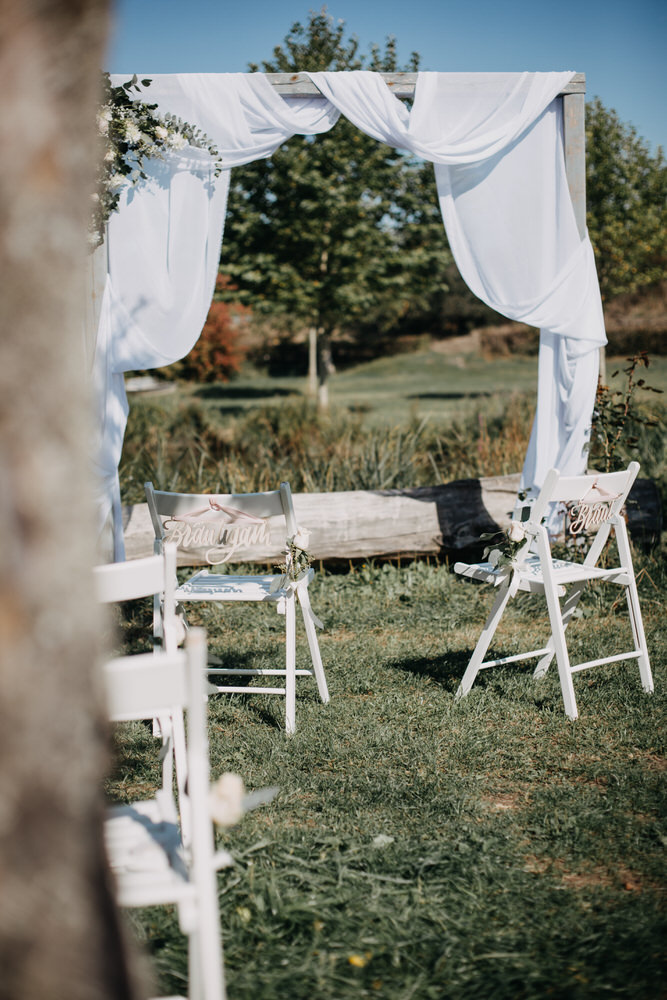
(216, 526)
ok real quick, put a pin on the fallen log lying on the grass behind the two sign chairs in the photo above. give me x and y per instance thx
(443, 520)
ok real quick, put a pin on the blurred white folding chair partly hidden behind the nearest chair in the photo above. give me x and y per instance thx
(153, 576)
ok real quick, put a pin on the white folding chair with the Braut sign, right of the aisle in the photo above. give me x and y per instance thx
(590, 506)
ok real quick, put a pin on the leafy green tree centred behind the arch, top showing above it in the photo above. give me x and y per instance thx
(334, 232)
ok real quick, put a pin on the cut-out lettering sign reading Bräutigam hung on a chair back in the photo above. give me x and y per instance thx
(216, 531)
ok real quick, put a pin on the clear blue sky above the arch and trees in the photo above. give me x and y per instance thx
(621, 45)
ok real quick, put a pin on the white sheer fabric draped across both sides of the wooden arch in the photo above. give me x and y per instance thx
(496, 142)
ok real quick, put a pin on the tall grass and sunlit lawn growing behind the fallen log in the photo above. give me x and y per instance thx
(413, 420)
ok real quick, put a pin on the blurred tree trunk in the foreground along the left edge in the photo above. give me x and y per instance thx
(59, 931)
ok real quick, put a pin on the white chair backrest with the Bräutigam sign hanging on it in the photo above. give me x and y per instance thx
(221, 524)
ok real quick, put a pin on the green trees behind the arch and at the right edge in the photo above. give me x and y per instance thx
(342, 236)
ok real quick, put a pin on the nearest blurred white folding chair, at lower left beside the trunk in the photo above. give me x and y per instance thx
(150, 864)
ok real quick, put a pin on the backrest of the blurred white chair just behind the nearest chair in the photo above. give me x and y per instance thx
(152, 576)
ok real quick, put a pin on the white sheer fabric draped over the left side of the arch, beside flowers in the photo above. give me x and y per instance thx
(164, 242)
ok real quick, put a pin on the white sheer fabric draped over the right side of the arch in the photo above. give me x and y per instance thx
(496, 142)
